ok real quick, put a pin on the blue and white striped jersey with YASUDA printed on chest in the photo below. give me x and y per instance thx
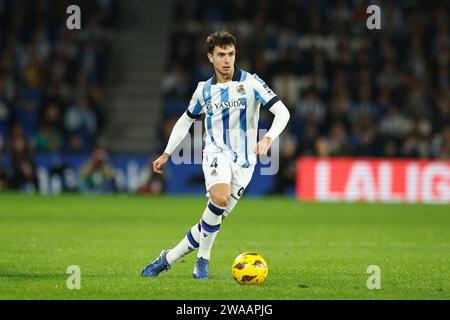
(231, 114)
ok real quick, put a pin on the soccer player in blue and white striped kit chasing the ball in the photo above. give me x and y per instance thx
(230, 100)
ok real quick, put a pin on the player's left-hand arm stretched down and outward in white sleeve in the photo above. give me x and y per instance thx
(180, 130)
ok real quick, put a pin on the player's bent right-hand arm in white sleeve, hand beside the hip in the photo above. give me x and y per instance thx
(272, 102)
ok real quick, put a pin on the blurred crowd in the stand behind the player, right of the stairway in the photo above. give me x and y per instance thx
(351, 91)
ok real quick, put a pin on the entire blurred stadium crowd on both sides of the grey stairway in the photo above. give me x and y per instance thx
(351, 91)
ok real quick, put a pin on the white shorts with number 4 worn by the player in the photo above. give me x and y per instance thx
(218, 168)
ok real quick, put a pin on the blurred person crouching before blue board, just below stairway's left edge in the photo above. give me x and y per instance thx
(97, 174)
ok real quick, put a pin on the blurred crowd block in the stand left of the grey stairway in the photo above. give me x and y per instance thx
(51, 81)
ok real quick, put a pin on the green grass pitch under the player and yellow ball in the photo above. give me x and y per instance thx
(314, 250)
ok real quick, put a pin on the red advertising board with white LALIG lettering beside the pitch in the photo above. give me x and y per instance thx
(371, 179)
